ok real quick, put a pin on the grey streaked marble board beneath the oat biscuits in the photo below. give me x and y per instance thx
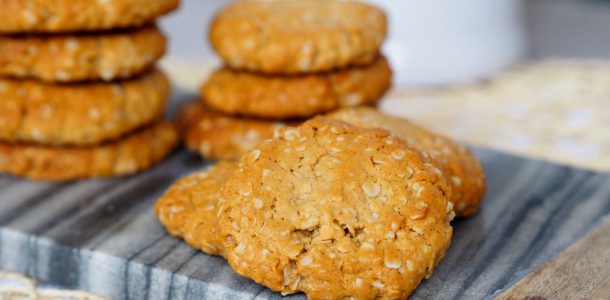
(102, 235)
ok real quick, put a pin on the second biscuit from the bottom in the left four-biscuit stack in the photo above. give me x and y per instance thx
(81, 114)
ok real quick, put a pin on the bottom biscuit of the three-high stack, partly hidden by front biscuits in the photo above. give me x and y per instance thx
(218, 136)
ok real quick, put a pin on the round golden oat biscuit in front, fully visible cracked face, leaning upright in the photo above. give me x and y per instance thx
(336, 211)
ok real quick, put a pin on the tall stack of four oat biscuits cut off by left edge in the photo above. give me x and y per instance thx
(80, 95)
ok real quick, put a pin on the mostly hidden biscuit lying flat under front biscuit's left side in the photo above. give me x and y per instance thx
(189, 208)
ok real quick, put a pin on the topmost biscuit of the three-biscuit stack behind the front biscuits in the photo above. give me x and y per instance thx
(290, 37)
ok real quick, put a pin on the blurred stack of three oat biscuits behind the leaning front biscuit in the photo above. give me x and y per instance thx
(285, 61)
